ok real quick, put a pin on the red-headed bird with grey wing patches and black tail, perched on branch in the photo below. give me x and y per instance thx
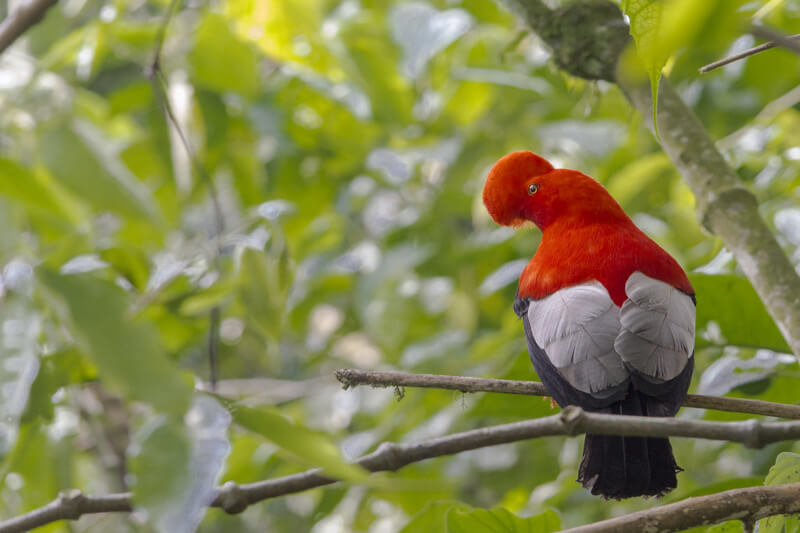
(608, 314)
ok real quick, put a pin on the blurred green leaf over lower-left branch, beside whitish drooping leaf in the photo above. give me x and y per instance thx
(159, 462)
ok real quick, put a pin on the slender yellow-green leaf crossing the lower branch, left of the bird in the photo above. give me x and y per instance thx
(296, 441)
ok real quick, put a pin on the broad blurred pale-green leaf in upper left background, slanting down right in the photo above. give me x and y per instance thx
(79, 156)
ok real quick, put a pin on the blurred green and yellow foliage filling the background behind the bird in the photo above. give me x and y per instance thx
(348, 143)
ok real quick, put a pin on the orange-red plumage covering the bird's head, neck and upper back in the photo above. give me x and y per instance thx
(585, 233)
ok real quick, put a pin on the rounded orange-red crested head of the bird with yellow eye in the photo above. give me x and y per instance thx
(523, 186)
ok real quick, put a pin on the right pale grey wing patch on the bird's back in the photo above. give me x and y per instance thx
(657, 335)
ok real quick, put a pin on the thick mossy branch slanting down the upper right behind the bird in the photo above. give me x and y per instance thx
(593, 40)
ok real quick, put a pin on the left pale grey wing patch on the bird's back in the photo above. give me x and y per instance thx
(577, 328)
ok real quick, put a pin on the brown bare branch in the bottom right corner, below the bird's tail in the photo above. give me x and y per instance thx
(747, 505)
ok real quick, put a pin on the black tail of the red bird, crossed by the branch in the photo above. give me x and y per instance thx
(626, 467)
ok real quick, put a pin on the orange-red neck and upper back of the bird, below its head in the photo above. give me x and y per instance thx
(573, 252)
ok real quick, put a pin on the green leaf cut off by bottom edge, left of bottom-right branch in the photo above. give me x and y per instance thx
(500, 521)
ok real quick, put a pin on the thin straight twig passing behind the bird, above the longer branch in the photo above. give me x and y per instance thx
(352, 377)
